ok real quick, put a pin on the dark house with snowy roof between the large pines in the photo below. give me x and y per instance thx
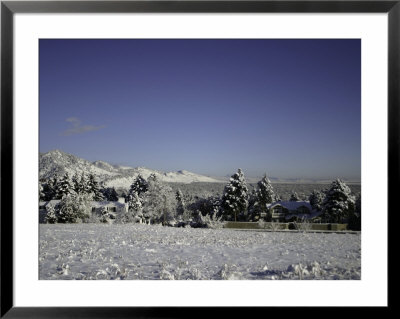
(285, 210)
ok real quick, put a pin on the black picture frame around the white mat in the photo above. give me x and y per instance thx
(9, 8)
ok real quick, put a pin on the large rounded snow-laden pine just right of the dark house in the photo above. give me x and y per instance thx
(338, 203)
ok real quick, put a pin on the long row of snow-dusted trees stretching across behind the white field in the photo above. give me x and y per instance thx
(152, 201)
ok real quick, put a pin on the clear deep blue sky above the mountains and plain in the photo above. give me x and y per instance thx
(288, 108)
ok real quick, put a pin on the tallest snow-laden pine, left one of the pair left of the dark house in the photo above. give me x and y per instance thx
(235, 197)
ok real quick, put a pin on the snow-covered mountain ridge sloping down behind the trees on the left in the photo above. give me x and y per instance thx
(58, 163)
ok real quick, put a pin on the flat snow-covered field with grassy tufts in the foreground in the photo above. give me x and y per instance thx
(134, 251)
